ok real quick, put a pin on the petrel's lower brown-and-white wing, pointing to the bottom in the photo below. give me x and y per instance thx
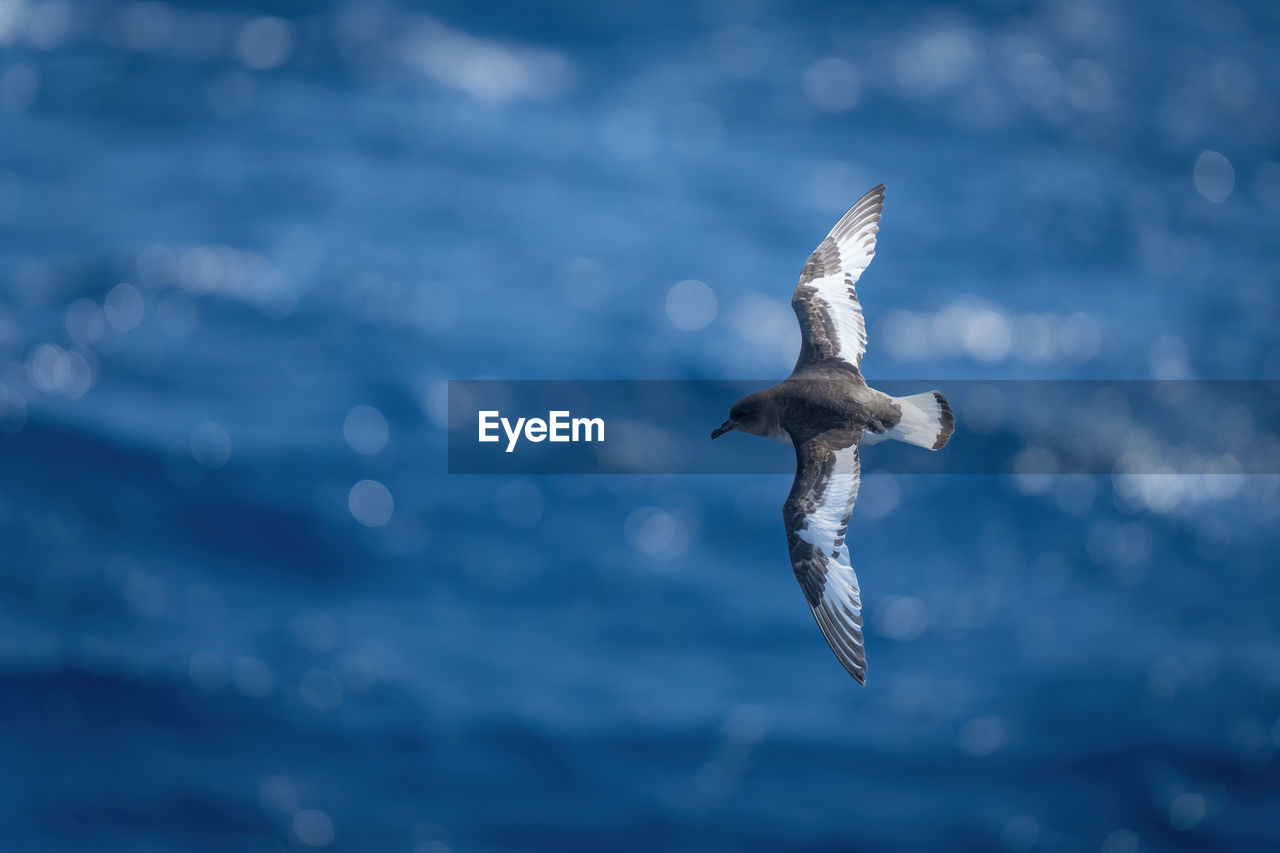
(817, 517)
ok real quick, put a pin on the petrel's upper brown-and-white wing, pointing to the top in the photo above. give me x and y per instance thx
(826, 300)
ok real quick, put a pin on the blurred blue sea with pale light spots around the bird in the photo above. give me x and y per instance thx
(244, 245)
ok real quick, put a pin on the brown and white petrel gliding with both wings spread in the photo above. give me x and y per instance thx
(826, 410)
